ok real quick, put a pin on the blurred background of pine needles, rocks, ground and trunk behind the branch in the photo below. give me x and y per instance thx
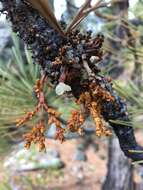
(80, 163)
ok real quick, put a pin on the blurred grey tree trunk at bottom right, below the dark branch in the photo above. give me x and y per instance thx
(120, 171)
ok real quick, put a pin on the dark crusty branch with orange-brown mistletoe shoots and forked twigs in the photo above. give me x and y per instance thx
(69, 61)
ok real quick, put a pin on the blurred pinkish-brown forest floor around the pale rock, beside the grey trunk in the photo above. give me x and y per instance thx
(76, 175)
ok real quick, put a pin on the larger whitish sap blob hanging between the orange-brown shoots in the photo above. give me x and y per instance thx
(61, 88)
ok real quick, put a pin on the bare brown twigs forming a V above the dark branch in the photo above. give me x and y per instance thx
(44, 8)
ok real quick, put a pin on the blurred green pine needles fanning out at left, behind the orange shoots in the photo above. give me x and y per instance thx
(17, 79)
